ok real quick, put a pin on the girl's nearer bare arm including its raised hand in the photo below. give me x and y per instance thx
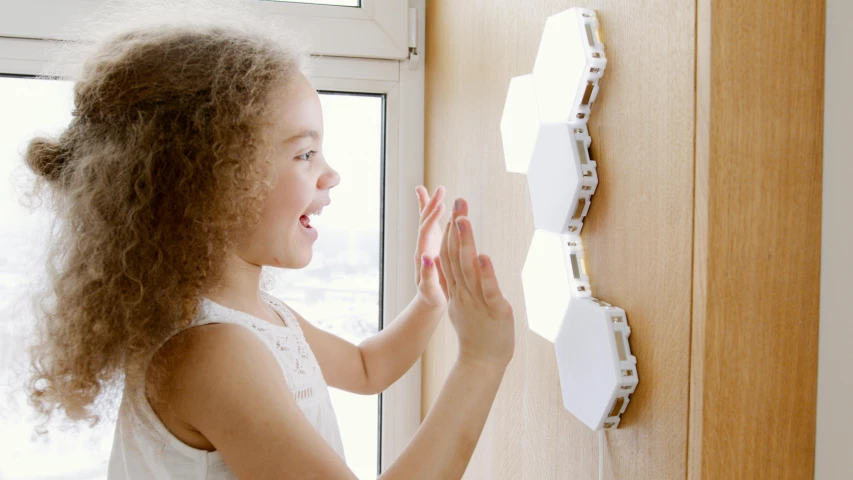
(228, 387)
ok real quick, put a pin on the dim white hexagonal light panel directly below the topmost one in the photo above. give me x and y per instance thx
(561, 178)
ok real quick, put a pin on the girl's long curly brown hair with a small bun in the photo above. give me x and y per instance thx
(162, 169)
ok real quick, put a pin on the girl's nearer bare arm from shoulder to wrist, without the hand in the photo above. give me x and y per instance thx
(228, 387)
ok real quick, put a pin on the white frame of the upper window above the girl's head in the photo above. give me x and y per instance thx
(376, 29)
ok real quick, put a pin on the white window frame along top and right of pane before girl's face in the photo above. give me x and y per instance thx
(404, 169)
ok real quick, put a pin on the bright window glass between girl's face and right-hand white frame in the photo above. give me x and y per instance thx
(339, 290)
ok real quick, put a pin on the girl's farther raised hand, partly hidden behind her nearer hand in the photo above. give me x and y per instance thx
(427, 276)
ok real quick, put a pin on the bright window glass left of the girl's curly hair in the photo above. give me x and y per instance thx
(30, 107)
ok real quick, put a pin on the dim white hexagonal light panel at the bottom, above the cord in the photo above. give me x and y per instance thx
(597, 370)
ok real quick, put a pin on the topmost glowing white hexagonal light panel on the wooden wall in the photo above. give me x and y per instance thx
(568, 66)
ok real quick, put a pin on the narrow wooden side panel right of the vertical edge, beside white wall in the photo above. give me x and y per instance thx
(757, 256)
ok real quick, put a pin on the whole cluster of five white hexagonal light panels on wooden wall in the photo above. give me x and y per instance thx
(545, 136)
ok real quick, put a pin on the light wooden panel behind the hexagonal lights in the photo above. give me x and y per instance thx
(638, 233)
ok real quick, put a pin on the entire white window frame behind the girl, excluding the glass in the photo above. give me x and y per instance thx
(26, 49)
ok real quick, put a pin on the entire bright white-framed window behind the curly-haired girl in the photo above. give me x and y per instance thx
(360, 67)
